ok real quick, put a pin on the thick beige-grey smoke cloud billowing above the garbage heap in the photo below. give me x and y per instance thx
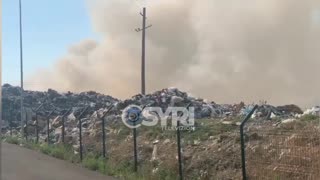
(226, 51)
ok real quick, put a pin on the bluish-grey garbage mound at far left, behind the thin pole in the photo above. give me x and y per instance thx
(50, 103)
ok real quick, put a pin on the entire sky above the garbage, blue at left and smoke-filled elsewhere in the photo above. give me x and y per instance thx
(210, 48)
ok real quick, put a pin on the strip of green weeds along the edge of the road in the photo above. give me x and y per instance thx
(92, 161)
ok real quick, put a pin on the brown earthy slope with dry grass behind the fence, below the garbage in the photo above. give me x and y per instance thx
(212, 151)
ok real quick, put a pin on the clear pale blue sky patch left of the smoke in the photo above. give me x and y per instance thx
(44, 23)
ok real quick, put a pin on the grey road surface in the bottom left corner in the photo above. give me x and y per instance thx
(18, 163)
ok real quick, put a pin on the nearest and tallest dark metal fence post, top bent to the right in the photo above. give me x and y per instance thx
(243, 153)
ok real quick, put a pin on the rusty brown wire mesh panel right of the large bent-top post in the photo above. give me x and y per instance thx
(283, 151)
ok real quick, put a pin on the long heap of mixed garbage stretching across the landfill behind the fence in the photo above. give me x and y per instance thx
(56, 104)
